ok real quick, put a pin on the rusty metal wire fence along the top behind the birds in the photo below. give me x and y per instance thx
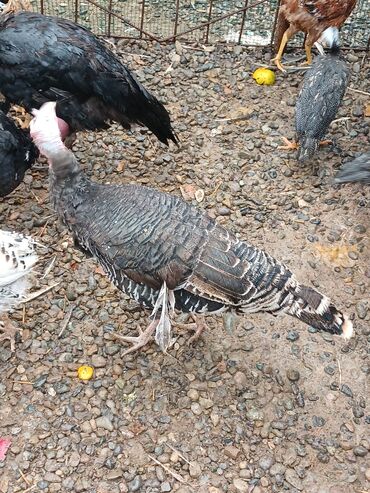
(247, 22)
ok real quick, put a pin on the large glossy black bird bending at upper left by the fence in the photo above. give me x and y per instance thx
(45, 58)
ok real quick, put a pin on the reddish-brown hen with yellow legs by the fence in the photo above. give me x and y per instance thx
(310, 16)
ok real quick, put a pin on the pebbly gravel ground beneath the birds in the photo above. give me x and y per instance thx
(269, 406)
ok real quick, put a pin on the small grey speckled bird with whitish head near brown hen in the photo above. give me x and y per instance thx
(323, 89)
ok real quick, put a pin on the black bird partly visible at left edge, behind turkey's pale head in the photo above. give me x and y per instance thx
(17, 154)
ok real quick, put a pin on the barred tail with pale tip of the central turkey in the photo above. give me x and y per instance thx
(318, 311)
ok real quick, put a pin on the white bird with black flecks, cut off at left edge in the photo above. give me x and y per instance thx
(17, 258)
